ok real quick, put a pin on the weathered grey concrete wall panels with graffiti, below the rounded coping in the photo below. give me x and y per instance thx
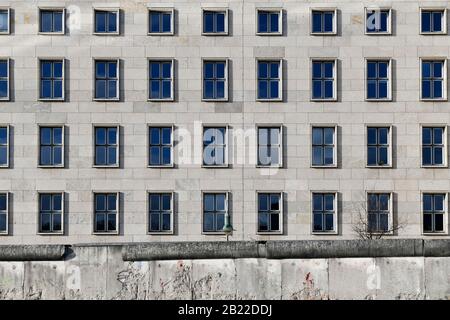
(98, 272)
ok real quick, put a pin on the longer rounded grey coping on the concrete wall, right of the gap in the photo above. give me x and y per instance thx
(296, 249)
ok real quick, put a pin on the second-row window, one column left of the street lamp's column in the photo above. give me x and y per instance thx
(161, 80)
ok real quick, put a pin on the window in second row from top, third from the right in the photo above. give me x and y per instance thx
(323, 80)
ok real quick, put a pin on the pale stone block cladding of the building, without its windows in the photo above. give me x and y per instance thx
(351, 113)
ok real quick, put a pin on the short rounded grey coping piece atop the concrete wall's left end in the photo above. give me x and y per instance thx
(32, 252)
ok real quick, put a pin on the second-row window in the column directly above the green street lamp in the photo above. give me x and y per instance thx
(215, 83)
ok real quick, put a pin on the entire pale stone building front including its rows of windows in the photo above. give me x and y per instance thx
(135, 121)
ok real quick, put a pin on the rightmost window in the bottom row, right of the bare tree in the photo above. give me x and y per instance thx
(434, 212)
